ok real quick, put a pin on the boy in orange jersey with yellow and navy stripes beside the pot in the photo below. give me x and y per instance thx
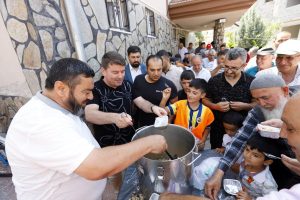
(191, 113)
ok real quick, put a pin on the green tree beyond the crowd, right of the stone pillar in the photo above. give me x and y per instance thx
(253, 31)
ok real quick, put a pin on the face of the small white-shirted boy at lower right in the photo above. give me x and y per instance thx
(254, 159)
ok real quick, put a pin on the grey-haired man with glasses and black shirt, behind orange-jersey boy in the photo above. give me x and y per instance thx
(228, 90)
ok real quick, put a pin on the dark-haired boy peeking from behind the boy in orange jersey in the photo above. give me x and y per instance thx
(185, 79)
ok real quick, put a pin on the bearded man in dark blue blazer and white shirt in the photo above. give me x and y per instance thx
(134, 67)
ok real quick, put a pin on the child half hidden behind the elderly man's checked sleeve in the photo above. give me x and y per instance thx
(232, 121)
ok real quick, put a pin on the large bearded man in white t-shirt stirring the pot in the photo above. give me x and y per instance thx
(51, 151)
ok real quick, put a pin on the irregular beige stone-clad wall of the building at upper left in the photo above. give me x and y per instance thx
(40, 34)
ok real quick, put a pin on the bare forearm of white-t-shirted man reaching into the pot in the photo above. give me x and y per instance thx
(104, 162)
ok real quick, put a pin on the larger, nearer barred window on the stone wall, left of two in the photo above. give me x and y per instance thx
(117, 14)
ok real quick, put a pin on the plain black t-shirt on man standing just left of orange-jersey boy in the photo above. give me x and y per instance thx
(153, 93)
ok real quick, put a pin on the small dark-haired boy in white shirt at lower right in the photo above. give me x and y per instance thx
(254, 174)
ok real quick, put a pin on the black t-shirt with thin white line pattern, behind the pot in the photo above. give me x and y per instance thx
(117, 101)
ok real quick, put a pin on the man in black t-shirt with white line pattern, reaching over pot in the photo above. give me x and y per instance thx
(111, 108)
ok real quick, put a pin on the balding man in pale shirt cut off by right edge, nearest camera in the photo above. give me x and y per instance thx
(290, 129)
